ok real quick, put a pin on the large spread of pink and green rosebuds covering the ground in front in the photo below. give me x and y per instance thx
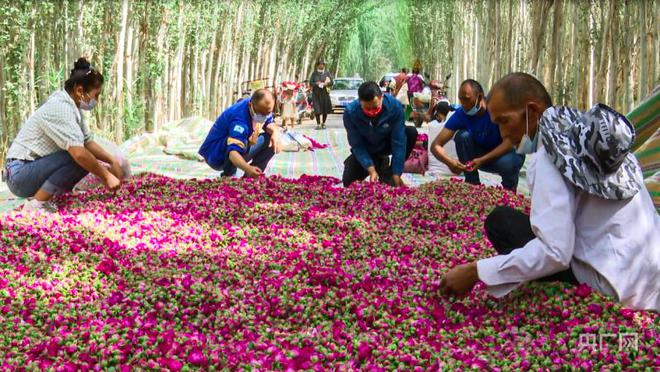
(286, 274)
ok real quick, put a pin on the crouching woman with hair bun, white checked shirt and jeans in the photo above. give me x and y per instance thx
(54, 148)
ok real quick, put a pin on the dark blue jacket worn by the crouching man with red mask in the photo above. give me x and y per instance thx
(369, 136)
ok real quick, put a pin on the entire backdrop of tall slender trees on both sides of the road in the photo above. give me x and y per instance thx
(172, 58)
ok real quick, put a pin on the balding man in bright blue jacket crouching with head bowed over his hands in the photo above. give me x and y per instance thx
(243, 137)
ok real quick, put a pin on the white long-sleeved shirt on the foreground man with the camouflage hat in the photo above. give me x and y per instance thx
(611, 245)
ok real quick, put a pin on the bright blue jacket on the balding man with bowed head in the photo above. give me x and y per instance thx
(230, 132)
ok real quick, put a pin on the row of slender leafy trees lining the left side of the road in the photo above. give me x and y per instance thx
(170, 34)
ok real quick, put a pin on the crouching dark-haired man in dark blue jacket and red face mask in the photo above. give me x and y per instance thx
(376, 129)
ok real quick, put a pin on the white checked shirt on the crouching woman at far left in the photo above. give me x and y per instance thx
(55, 126)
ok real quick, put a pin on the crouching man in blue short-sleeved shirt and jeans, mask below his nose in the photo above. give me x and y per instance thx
(479, 144)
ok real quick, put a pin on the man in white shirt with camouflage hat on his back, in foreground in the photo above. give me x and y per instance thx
(592, 220)
